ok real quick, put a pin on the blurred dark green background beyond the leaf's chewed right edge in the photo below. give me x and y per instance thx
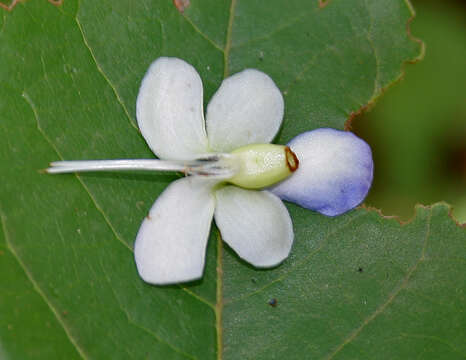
(418, 129)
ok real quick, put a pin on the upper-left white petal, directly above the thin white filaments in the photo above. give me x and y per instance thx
(170, 111)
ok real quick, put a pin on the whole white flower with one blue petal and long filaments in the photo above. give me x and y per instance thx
(236, 176)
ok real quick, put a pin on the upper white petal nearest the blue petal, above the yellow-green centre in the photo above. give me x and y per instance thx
(247, 109)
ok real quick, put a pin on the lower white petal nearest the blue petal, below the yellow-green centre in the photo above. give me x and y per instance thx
(255, 224)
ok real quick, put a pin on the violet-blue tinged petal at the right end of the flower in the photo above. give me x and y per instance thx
(334, 175)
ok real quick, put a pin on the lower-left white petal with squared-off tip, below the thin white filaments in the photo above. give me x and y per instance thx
(170, 245)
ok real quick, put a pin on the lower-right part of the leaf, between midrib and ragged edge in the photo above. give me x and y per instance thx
(364, 287)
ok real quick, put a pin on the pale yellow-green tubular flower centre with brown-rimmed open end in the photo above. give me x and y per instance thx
(262, 165)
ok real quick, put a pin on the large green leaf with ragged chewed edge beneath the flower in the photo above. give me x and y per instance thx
(355, 286)
